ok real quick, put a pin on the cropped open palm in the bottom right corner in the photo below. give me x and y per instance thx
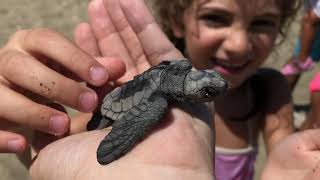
(296, 157)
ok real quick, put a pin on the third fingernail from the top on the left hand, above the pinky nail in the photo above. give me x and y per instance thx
(58, 124)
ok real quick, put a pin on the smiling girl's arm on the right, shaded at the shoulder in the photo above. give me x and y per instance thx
(278, 121)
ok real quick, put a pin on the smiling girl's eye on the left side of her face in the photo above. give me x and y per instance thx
(213, 20)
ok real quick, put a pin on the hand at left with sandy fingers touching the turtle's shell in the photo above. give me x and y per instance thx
(39, 67)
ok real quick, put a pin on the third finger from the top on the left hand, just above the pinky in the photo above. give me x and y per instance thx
(19, 110)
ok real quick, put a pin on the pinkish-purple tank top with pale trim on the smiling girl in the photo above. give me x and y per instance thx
(231, 164)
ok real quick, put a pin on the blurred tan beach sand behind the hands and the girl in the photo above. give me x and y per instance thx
(63, 15)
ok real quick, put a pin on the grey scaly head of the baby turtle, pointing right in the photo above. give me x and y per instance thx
(203, 86)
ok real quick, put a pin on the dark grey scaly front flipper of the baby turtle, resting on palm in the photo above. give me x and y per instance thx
(131, 129)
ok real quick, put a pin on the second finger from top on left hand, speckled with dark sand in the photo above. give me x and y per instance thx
(28, 73)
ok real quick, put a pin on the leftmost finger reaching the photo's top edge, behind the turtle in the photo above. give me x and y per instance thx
(108, 37)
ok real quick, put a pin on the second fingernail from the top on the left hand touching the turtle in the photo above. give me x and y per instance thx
(88, 101)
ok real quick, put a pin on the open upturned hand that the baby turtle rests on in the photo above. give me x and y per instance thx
(180, 148)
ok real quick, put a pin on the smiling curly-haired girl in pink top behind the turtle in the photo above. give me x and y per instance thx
(235, 37)
